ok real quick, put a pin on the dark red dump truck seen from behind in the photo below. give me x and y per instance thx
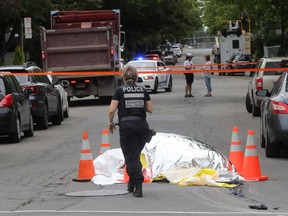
(82, 48)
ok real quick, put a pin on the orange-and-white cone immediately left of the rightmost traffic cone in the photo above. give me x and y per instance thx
(236, 155)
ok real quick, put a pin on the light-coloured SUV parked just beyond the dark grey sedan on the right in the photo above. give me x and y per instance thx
(262, 80)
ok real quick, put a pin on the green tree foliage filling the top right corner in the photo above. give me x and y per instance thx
(268, 20)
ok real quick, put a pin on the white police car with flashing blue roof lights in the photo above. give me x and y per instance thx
(157, 79)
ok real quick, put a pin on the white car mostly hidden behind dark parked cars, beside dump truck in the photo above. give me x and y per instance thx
(63, 94)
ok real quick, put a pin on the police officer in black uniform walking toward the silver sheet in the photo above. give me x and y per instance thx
(132, 102)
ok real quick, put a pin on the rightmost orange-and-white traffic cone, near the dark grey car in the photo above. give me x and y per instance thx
(251, 168)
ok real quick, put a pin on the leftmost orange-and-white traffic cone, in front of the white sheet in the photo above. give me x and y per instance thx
(86, 167)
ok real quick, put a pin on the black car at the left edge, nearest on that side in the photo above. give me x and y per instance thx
(15, 109)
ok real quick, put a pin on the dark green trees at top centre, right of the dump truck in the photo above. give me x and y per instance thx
(147, 23)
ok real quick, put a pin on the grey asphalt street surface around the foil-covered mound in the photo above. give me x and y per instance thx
(37, 173)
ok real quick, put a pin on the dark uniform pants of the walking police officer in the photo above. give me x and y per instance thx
(133, 135)
